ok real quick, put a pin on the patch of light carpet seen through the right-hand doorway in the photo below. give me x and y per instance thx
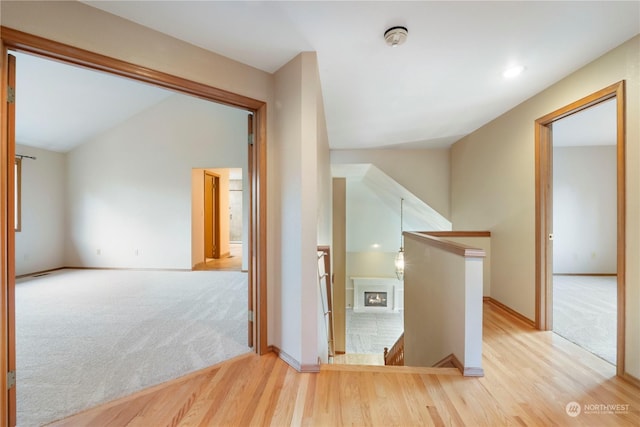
(585, 312)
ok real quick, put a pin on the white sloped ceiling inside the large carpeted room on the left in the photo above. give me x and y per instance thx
(59, 106)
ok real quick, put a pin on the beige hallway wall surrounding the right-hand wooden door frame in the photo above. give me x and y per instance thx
(493, 183)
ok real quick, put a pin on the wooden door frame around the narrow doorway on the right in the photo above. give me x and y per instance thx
(543, 160)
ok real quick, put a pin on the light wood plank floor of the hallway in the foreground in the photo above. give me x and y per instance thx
(530, 378)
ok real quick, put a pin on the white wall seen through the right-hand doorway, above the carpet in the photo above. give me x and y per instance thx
(584, 210)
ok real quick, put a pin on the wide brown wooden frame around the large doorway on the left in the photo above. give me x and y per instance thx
(11, 39)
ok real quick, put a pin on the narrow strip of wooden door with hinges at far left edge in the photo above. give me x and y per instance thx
(8, 245)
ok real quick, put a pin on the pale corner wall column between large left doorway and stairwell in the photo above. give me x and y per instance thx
(299, 163)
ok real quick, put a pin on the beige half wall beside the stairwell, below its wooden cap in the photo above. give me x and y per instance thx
(438, 284)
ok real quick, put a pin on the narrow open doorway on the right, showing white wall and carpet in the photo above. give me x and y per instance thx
(584, 229)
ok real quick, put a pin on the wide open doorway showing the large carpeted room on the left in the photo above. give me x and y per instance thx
(93, 202)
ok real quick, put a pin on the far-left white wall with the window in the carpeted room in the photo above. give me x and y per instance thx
(43, 211)
